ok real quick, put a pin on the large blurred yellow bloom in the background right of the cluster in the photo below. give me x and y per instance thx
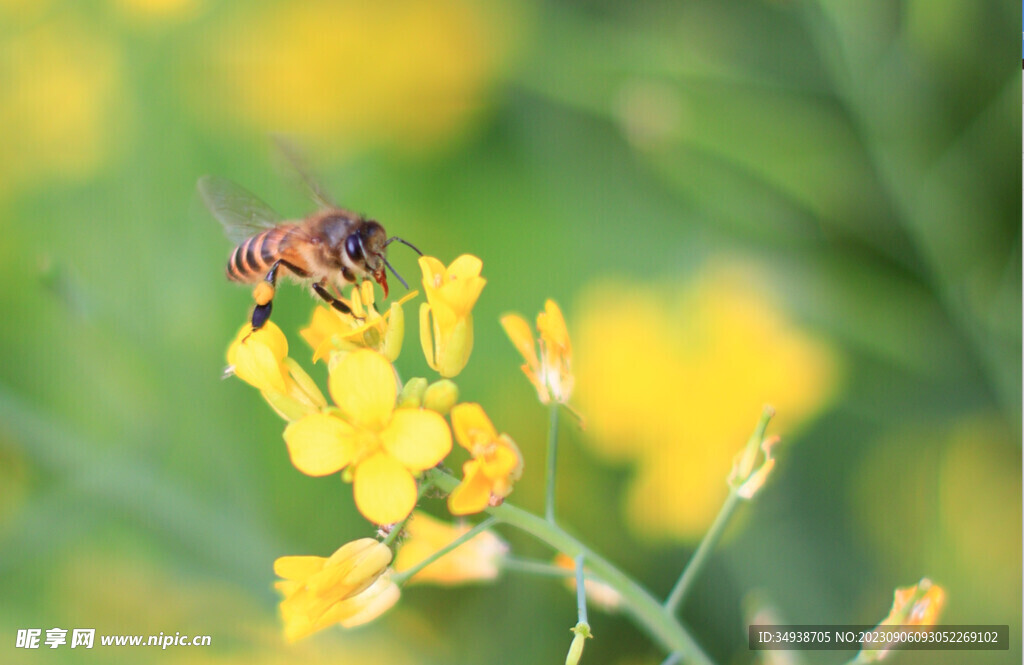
(671, 382)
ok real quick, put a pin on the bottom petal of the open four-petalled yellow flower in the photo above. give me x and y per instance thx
(385, 490)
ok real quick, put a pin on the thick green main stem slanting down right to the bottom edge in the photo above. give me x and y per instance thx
(646, 610)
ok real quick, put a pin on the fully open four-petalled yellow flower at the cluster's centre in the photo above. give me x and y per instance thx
(382, 446)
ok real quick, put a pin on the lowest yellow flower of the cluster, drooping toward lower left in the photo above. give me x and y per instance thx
(351, 588)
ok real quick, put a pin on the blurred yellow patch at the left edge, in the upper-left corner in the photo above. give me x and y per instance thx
(64, 105)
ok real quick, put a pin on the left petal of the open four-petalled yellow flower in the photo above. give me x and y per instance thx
(320, 444)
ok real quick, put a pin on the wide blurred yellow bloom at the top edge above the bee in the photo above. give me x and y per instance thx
(409, 74)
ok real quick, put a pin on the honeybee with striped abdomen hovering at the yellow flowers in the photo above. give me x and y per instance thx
(329, 250)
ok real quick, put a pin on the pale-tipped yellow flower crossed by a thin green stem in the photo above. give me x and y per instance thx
(475, 561)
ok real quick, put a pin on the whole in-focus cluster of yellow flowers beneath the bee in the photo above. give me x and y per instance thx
(381, 435)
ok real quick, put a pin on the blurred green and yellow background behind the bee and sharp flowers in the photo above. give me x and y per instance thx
(810, 204)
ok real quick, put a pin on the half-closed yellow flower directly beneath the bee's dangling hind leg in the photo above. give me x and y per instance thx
(261, 359)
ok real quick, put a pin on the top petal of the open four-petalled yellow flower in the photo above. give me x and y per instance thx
(365, 388)
